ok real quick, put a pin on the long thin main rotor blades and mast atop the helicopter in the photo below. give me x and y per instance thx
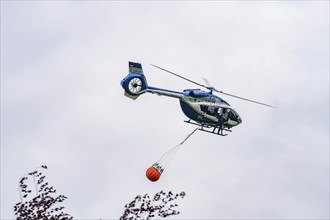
(212, 88)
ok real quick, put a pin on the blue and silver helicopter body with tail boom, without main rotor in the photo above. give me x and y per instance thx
(204, 108)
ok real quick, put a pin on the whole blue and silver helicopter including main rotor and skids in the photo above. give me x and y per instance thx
(209, 112)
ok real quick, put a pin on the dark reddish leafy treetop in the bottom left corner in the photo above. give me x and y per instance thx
(40, 202)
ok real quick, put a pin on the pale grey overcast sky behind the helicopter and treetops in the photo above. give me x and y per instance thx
(62, 104)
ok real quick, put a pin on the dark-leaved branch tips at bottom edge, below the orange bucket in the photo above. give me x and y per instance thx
(161, 205)
